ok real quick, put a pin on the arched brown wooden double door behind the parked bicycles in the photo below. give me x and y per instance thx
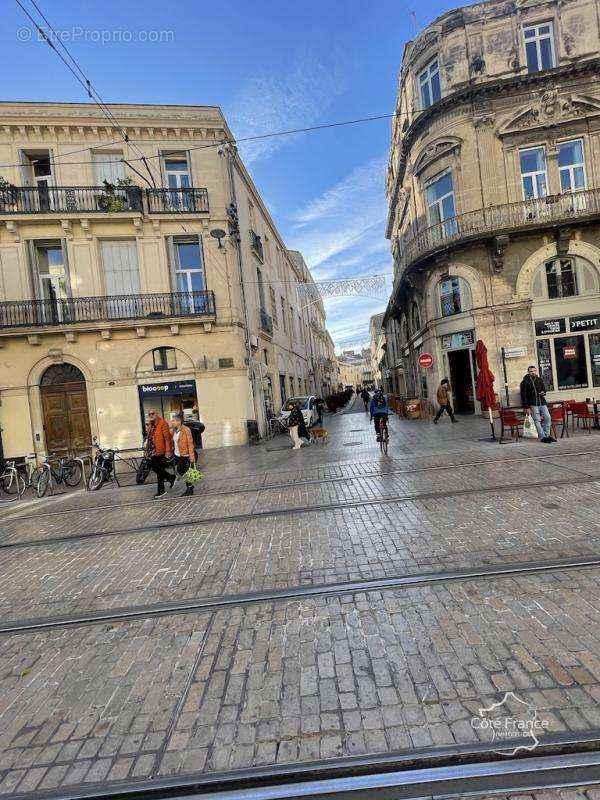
(65, 409)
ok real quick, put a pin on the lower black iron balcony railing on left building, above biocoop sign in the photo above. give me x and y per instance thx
(28, 313)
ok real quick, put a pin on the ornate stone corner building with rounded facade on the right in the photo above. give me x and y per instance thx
(493, 186)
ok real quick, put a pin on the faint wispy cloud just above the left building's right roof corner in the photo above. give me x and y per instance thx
(267, 104)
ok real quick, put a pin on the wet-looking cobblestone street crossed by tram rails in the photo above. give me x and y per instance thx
(307, 605)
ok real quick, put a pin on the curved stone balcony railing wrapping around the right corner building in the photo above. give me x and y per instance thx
(551, 210)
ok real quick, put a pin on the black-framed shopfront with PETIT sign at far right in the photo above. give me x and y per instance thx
(568, 354)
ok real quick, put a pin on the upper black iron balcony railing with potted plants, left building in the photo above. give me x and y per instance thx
(92, 199)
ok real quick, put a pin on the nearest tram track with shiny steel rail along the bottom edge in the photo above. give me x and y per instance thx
(560, 760)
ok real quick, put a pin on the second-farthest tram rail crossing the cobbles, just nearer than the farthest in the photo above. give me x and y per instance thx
(298, 510)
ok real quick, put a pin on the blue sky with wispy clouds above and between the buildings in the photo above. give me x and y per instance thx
(271, 66)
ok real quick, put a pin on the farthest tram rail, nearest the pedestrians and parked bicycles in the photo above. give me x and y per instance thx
(307, 482)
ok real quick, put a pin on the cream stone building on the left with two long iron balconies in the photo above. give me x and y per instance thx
(137, 274)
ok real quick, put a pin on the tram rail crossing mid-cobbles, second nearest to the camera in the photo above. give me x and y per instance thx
(224, 601)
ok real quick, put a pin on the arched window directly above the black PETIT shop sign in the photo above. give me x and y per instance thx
(564, 277)
